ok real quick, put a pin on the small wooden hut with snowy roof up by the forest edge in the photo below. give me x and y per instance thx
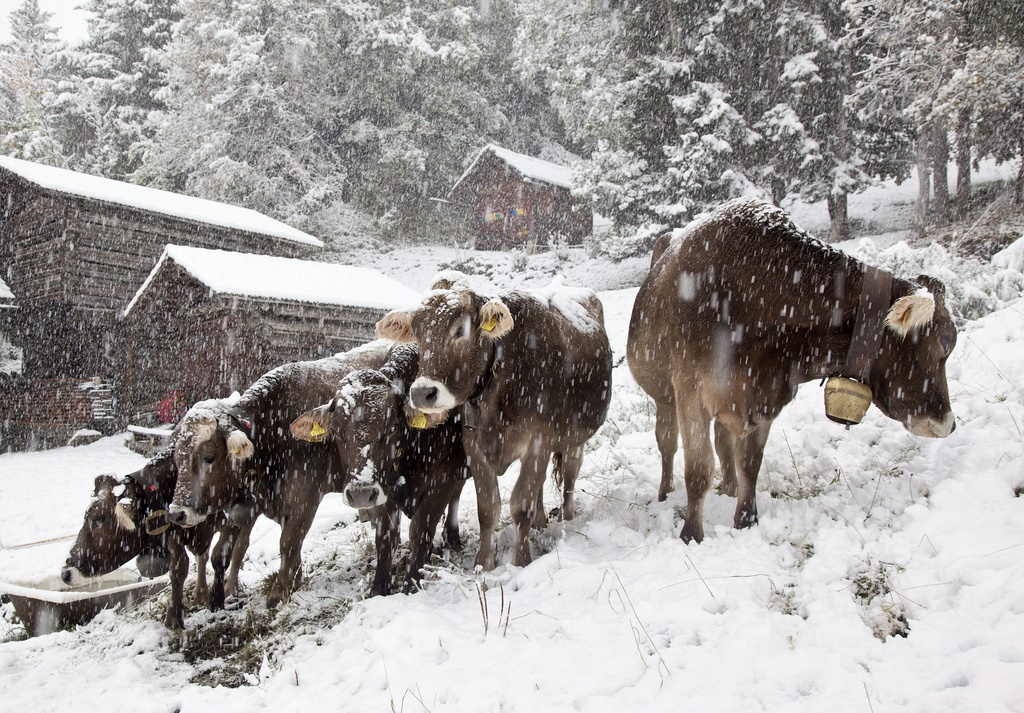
(520, 201)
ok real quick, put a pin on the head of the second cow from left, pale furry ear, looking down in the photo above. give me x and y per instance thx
(212, 449)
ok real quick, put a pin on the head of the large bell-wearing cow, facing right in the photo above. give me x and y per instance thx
(909, 381)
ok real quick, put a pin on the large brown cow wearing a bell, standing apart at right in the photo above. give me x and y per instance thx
(742, 308)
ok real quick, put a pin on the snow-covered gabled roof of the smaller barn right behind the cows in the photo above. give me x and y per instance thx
(246, 275)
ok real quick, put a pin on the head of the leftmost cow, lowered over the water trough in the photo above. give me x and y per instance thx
(112, 533)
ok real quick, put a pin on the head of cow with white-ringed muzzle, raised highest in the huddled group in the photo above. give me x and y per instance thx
(456, 330)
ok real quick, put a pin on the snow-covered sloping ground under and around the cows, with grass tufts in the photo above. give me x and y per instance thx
(886, 573)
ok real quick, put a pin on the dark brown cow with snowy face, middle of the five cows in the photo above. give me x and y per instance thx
(399, 460)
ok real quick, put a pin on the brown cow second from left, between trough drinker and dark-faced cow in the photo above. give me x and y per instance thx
(245, 452)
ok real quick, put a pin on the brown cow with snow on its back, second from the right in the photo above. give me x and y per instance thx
(531, 373)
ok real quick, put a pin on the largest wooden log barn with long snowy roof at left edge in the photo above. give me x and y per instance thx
(74, 249)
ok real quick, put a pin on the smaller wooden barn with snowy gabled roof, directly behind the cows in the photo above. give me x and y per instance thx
(233, 317)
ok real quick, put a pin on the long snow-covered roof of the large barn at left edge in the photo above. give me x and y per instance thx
(155, 201)
